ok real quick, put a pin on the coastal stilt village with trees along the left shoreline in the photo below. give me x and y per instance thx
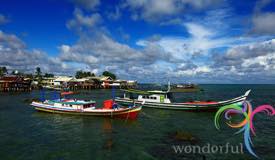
(16, 81)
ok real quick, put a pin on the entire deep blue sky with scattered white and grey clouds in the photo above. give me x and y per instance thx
(202, 41)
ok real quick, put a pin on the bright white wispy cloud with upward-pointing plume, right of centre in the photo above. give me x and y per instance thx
(200, 42)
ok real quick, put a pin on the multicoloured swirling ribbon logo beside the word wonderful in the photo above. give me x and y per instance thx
(246, 125)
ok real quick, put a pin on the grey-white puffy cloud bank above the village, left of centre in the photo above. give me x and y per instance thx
(104, 51)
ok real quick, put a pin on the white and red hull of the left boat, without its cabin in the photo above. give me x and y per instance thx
(127, 113)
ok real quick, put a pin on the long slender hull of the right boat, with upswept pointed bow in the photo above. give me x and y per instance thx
(197, 106)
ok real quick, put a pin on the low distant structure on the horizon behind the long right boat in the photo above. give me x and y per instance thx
(185, 88)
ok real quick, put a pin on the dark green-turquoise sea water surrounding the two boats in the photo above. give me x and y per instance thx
(27, 134)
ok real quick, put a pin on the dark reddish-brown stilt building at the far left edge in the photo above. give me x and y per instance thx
(15, 83)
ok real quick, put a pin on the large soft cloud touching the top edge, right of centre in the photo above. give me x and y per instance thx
(155, 10)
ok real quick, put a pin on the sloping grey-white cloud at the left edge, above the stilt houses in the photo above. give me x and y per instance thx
(15, 55)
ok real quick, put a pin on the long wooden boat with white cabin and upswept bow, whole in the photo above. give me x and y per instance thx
(160, 100)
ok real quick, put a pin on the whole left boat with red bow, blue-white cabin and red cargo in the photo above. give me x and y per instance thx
(83, 107)
